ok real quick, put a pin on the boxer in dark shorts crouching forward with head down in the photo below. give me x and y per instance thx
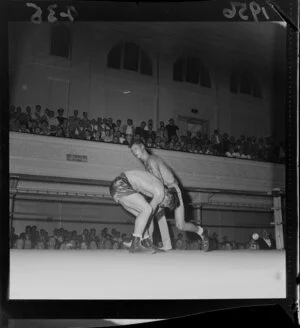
(131, 189)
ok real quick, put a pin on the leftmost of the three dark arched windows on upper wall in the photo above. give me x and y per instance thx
(129, 56)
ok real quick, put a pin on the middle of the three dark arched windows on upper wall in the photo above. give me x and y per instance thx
(191, 70)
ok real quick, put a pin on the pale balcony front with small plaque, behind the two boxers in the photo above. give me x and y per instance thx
(51, 166)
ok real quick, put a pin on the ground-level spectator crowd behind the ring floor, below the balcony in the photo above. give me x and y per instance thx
(62, 239)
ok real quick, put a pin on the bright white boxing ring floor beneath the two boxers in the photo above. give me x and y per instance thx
(117, 274)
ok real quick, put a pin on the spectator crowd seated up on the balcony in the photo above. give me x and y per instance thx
(166, 136)
